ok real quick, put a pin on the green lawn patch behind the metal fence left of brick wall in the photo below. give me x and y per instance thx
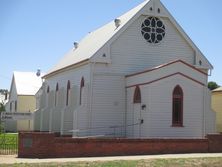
(8, 143)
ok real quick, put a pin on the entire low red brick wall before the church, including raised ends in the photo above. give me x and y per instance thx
(47, 145)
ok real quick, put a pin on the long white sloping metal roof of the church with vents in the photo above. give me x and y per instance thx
(89, 45)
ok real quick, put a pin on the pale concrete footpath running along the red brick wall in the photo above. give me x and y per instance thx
(12, 159)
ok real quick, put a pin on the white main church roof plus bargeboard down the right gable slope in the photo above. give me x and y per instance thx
(95, 40)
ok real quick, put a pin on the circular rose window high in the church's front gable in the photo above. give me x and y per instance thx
(153, 30)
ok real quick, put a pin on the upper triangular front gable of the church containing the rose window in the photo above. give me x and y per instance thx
(141, 43)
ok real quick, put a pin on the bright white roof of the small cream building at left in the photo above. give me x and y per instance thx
(26, 83)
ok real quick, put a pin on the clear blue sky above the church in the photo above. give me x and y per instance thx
(35, 34)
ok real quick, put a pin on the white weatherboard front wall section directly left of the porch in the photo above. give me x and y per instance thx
(108, 107)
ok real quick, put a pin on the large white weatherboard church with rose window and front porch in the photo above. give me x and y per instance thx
(139, 76)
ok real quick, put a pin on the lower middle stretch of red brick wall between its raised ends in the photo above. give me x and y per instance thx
(66, 147)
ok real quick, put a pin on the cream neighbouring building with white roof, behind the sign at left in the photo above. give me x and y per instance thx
(24, 86)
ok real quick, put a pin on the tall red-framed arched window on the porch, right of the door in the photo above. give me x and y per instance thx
(177, 106)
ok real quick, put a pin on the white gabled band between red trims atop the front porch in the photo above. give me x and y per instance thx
(164, 71)
